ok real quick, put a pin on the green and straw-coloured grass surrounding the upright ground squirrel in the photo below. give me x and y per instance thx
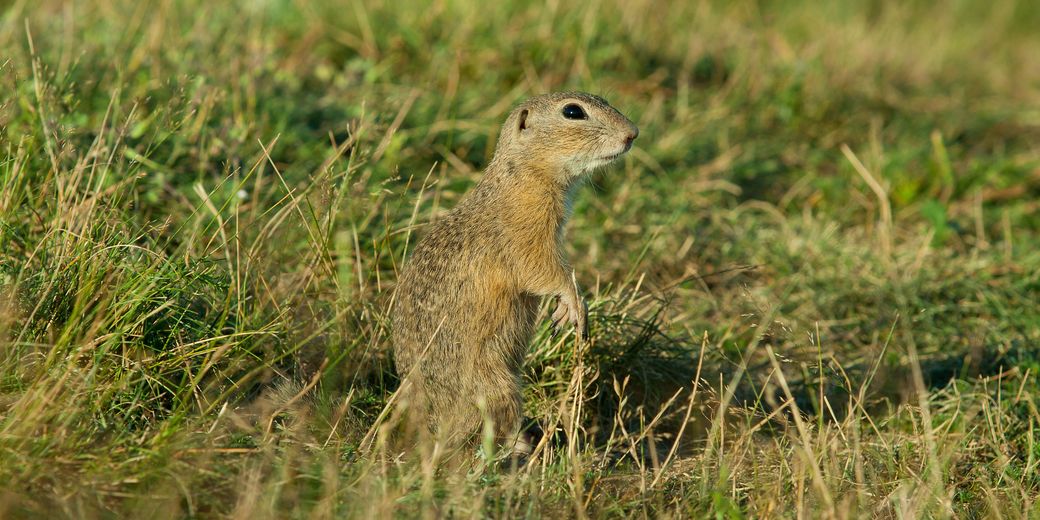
(814, 283)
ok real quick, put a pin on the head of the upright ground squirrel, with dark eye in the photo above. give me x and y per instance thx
(571, 134)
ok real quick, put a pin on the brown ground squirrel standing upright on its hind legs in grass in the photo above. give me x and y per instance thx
(467, 301)
